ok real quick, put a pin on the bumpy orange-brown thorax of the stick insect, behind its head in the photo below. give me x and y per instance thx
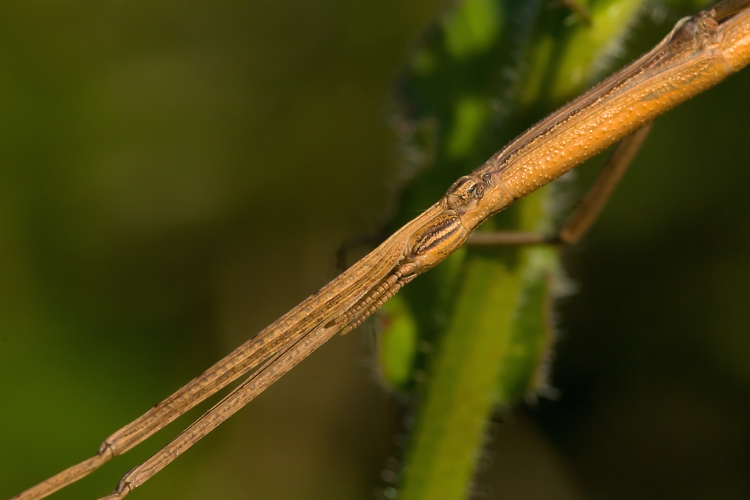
(697, 55)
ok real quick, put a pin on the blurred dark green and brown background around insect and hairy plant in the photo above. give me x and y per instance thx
(173, 177)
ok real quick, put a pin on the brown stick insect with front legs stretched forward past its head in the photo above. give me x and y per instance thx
(699, 53)
